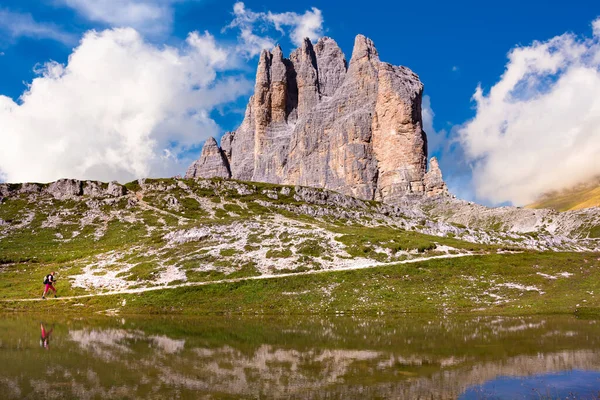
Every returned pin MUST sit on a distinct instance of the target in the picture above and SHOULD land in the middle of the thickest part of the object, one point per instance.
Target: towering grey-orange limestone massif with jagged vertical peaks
(315, 120)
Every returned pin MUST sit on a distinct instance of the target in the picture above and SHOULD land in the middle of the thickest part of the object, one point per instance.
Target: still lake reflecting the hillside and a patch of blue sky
(409, 357)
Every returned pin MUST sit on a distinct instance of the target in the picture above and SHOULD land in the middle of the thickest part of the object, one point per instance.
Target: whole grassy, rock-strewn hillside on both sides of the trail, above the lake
(168, 233)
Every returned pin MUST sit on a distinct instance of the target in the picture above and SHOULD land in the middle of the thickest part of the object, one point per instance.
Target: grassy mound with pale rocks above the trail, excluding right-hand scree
(166, 231)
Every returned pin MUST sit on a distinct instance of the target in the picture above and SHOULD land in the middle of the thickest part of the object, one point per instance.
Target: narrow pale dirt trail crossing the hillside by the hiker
(312, 272)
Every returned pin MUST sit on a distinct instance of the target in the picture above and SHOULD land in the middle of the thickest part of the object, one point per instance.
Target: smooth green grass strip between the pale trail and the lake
(438, 286)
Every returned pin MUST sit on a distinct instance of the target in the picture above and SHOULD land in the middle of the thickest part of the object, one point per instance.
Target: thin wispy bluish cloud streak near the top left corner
(24, 25)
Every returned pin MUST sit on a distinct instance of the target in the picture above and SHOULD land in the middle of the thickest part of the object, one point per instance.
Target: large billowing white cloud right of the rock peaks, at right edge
(538, 127)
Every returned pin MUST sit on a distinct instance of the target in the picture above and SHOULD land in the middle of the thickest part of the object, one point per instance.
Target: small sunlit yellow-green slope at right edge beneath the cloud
(580, 197)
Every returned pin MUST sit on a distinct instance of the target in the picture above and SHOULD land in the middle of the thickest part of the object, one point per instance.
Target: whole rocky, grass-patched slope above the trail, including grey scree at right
(162, 231)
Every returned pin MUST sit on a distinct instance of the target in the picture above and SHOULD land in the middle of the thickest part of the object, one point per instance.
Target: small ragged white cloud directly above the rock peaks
(254, 27)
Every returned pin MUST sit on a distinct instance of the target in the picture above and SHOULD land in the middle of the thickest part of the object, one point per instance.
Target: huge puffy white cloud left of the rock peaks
(120, 109)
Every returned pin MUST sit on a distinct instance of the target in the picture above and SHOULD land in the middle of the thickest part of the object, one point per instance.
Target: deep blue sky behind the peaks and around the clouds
(452, 46)
